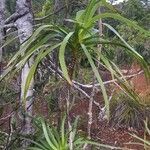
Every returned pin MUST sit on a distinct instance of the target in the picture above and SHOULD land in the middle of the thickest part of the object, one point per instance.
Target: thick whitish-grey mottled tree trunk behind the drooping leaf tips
(24, 25)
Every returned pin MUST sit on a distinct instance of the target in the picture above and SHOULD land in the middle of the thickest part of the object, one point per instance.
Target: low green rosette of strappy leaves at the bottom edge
(58, 139)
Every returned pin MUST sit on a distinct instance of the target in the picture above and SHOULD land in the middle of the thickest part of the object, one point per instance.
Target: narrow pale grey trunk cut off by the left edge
(2, 17)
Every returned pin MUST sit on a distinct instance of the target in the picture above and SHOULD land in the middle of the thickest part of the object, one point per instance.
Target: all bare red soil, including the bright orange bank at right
(101, 131)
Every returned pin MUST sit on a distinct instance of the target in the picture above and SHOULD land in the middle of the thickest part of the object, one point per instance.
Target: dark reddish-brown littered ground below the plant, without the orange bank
(101, 131)
